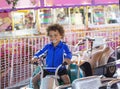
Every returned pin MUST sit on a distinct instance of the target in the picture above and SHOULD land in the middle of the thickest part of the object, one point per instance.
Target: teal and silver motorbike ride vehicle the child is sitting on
(53, 81)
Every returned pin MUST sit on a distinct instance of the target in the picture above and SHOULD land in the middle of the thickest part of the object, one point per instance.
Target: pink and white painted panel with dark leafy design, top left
(9, 4)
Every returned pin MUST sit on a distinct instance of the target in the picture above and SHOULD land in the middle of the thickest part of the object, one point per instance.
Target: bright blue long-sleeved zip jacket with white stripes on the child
(55, 55)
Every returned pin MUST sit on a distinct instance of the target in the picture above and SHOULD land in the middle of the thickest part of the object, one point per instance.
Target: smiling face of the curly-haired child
(55, 37)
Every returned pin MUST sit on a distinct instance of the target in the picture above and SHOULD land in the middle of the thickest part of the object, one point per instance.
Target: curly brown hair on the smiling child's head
(55, 27)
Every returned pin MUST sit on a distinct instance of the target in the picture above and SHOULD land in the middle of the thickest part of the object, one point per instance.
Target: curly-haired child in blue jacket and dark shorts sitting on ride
(55, 50)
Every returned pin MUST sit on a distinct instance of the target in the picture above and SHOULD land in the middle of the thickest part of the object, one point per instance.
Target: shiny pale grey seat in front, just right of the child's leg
(91, 82)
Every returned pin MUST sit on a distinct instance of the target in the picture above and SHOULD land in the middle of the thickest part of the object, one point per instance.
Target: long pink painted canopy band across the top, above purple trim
(23, 4)
